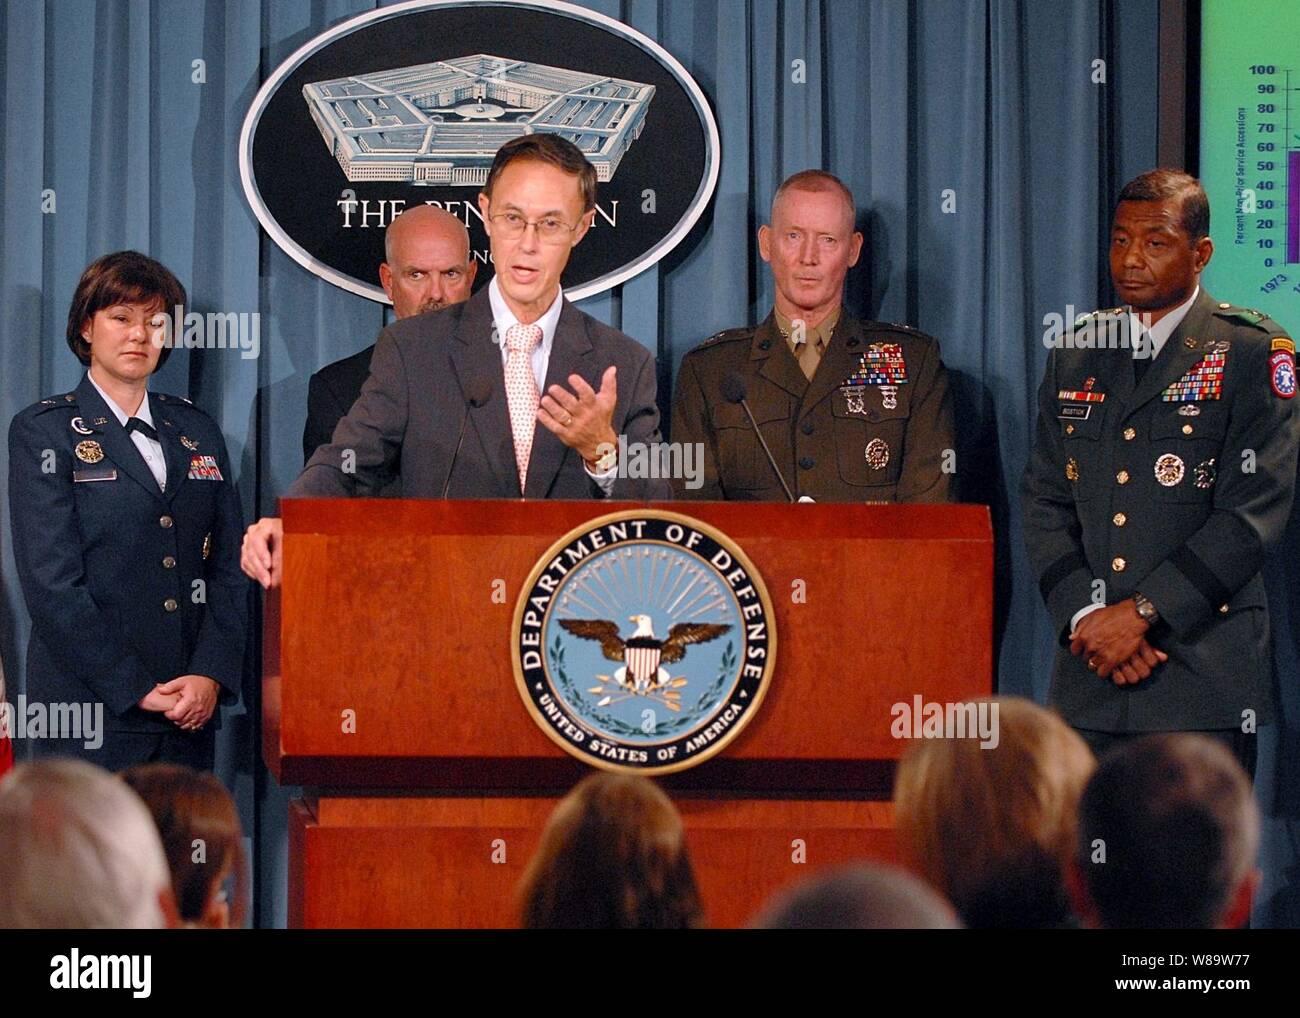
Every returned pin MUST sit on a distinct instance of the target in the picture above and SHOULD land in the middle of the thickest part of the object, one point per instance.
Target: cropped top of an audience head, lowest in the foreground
(860, 898)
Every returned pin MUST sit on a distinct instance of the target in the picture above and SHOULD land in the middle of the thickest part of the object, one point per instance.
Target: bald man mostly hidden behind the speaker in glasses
(427, 267)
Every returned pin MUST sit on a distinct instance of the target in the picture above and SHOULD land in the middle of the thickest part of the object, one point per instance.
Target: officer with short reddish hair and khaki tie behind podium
(853, 411)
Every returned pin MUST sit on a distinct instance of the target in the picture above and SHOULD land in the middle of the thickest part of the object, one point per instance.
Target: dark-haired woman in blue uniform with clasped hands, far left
(127, 532)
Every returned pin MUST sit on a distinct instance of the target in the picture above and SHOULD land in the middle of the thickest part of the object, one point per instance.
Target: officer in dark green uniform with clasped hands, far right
(1163, 467)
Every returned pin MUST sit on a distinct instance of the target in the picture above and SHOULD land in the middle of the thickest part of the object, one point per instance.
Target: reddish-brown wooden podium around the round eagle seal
(389, 695)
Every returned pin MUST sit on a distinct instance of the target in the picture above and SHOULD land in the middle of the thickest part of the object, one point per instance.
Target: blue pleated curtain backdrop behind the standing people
(991, 99)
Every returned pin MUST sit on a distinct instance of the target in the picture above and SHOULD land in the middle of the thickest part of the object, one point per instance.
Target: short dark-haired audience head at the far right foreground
(1168, 838)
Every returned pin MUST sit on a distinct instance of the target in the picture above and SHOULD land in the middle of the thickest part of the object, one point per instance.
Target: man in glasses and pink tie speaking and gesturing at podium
(544, 391)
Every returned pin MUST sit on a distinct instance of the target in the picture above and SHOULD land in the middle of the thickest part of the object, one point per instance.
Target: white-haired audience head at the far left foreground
(79, 851)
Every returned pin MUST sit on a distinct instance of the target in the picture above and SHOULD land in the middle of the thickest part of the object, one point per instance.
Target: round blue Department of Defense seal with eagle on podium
(644, 642)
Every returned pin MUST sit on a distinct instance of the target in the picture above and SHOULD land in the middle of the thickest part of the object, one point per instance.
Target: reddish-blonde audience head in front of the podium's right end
(991, 825)
